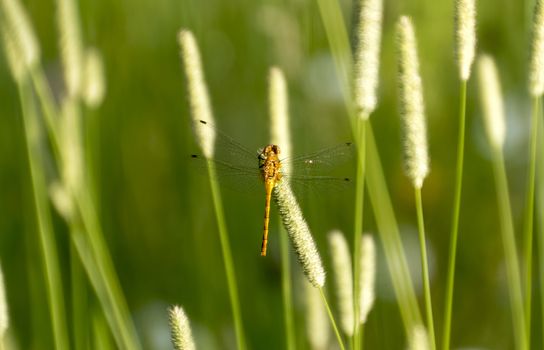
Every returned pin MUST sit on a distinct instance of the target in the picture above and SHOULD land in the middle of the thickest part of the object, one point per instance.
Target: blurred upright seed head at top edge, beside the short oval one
(71, 46)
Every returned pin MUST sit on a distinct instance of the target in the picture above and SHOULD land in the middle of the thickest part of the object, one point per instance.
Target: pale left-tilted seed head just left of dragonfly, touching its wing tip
(198, 92)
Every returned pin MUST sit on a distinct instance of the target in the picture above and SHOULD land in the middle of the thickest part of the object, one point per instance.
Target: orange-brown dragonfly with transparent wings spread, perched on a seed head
(235, 164)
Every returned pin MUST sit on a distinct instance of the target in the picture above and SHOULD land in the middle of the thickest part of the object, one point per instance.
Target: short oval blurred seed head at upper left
(95, 87)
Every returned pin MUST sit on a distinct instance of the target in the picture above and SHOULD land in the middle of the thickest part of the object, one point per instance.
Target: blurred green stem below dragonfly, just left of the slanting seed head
(287, 290)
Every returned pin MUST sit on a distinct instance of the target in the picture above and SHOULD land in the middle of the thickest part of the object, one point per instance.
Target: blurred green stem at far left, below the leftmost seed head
(55, 296)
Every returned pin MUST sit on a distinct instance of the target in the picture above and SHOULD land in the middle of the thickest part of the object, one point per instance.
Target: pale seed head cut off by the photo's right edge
(536, 65)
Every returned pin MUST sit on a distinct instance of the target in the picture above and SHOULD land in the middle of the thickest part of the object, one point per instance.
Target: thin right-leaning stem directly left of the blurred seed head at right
(455, 218)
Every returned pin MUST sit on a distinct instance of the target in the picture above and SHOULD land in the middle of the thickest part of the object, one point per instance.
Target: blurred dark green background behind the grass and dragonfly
(156, 209)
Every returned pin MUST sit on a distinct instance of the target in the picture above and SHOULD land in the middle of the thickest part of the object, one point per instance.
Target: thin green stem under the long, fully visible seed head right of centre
(425, 268)
